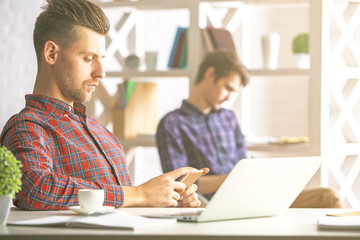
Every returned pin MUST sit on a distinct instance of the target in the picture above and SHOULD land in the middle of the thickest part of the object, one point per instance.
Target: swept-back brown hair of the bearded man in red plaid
(60, 20)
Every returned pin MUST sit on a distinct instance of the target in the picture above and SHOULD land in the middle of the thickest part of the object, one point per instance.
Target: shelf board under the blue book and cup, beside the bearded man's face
(177, 73)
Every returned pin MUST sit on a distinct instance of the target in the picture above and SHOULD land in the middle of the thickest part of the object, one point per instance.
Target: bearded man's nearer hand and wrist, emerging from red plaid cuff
(163, 191)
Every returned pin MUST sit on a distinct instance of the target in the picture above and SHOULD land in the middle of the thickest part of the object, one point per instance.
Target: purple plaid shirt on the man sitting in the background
(187, 137)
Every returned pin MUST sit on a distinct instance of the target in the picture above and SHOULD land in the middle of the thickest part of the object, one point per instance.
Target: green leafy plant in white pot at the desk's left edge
(10, 181)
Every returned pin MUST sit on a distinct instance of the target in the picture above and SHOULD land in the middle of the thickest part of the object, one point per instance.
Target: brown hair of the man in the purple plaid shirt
(225, 63)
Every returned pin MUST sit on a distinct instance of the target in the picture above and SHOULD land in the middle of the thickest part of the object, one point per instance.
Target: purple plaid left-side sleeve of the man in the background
(170, 145)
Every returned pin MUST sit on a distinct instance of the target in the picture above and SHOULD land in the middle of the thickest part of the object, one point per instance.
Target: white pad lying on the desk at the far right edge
(346, 223)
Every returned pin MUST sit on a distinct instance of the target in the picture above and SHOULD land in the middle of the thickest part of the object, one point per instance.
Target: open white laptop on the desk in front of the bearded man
(254, 188)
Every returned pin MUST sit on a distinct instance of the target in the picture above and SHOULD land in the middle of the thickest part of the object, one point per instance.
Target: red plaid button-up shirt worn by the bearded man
(63, 150)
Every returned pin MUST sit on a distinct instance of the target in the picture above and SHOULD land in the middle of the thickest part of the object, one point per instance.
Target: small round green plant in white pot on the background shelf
(300, 47)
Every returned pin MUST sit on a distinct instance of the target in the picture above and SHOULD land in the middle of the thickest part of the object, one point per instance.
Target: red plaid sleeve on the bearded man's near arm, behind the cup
(43, 188)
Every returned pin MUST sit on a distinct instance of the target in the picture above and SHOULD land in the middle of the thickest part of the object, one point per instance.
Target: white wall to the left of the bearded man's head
(17, 54)
